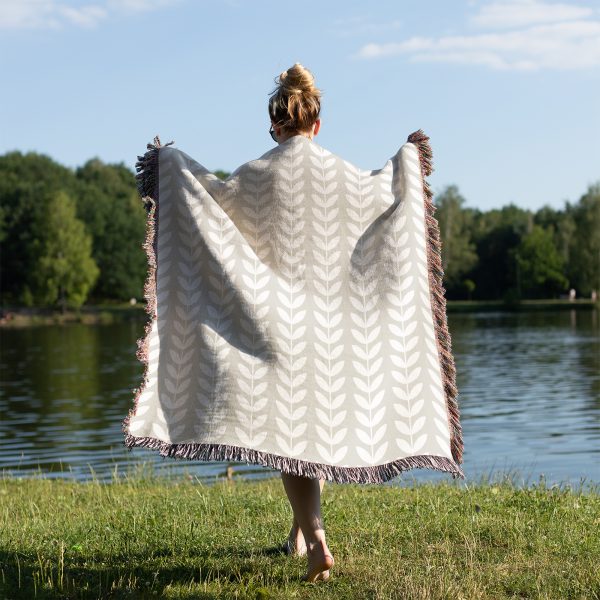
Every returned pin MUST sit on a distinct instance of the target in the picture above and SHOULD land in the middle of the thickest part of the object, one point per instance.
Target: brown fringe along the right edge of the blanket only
(438, 300)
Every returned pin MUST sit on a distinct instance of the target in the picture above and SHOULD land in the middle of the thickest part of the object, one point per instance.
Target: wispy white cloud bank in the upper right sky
(555, 42)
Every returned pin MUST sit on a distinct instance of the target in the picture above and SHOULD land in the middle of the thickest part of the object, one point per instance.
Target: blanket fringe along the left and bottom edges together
(147, 167)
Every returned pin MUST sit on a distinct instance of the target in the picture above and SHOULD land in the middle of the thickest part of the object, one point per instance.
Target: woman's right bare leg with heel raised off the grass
(305, 497)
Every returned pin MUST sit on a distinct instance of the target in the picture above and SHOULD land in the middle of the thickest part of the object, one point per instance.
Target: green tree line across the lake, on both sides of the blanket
(74, 236)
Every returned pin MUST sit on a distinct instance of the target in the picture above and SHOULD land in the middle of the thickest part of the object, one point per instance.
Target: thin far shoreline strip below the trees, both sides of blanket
(115, 313)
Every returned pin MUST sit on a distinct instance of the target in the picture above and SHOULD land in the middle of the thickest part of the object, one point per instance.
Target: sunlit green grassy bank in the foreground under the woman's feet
(152, 537)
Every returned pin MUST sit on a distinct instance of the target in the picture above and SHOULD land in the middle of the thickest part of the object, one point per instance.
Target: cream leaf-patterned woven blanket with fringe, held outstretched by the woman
(297, 317)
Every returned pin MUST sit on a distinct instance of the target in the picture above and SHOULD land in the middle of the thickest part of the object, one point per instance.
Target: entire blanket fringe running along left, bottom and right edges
(147, 183)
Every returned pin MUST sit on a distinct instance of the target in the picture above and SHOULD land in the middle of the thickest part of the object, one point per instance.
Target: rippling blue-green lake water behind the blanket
(529, 398)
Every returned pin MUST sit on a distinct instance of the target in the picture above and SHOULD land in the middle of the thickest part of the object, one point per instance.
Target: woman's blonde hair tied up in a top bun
(295, 103)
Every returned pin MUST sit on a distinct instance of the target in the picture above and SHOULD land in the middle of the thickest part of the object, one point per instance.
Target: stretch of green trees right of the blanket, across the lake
(513, 253)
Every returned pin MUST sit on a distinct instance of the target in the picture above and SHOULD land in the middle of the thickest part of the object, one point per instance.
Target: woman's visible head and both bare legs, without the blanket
(294, 108)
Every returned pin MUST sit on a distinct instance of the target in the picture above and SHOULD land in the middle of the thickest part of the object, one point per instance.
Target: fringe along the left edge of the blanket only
(147, 186)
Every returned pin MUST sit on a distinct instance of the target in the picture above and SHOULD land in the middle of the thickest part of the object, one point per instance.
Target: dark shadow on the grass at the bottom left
(24, 575)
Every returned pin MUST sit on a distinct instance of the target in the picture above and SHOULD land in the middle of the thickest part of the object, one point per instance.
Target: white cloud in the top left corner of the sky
(55, 14)
